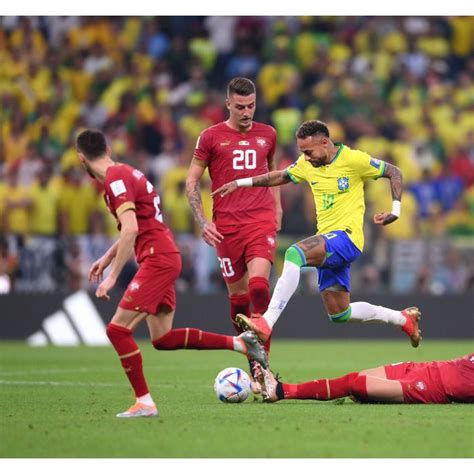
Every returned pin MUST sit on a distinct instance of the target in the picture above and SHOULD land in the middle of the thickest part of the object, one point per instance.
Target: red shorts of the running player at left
(154, 284)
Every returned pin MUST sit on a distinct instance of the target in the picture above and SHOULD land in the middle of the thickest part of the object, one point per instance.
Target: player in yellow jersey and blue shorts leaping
(336, 175)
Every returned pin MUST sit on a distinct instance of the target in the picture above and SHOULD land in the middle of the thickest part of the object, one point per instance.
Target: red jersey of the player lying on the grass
(457, 376)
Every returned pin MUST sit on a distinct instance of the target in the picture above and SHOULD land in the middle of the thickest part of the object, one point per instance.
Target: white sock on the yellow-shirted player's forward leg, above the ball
(284, 289)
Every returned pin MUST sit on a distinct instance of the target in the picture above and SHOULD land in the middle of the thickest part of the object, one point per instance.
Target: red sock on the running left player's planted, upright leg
(130, 357)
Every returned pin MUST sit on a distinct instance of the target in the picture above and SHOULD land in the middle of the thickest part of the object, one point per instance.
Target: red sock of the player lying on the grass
(321, 389)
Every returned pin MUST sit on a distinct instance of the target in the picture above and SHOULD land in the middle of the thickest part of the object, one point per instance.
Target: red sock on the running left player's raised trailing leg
(191, 338)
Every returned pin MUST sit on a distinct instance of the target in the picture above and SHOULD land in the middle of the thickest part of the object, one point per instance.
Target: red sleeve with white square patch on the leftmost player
(120, 189)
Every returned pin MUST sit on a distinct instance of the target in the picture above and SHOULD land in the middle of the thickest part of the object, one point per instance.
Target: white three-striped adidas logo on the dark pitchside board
(77, 323)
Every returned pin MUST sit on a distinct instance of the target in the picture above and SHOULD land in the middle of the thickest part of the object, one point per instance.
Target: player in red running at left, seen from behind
(151, 295)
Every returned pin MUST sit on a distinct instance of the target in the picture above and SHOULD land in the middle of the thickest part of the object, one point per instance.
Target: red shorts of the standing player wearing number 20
(242, 243)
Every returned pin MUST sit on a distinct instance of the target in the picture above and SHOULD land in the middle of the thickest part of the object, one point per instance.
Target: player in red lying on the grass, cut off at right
(405, 382)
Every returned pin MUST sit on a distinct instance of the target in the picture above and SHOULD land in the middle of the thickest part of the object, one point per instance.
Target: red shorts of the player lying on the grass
(421, 382)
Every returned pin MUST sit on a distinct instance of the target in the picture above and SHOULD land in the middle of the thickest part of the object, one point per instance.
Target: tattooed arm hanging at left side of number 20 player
(193, 192)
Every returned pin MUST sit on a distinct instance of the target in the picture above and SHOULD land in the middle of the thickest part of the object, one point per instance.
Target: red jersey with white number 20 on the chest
(232, 155)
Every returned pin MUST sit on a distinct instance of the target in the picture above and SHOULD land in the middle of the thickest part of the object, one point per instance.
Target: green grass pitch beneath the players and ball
(61, 402)
